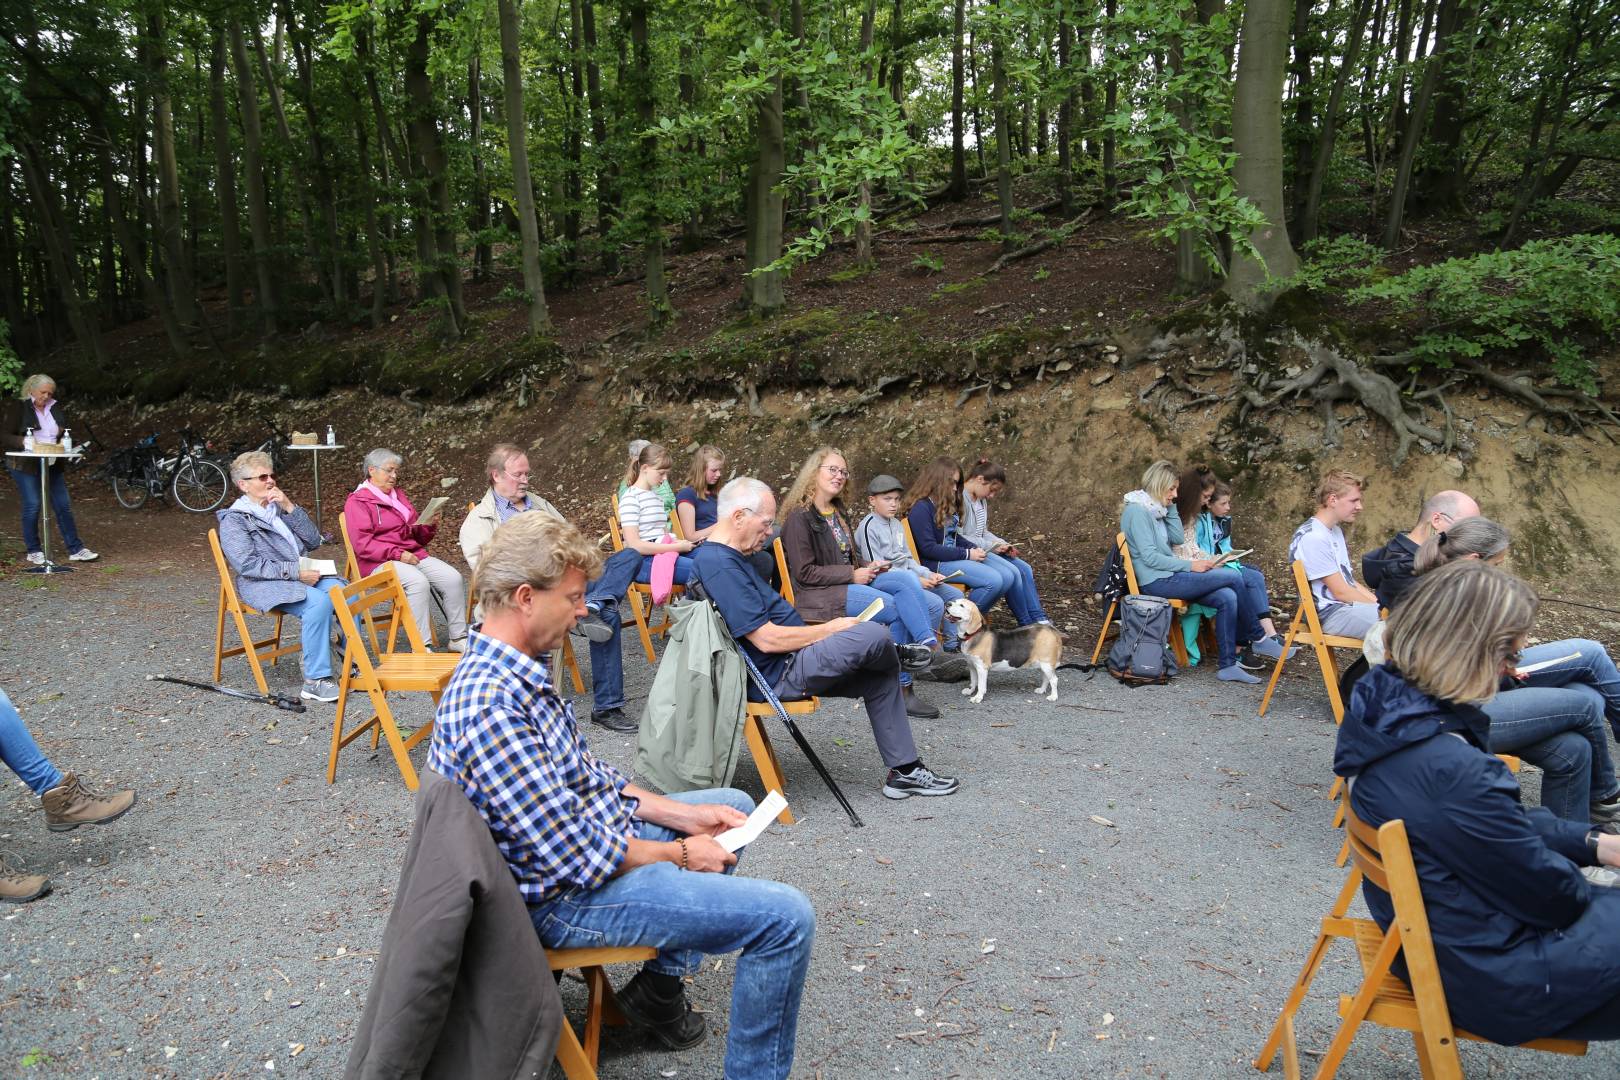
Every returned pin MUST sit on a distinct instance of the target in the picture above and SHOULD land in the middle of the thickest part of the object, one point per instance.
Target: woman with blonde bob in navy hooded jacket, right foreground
(1524, 943)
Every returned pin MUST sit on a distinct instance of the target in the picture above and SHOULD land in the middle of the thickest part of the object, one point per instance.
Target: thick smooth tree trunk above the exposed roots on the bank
(1258, 140)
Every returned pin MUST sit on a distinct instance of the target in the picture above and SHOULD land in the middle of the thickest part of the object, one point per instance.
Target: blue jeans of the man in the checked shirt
(686, 916)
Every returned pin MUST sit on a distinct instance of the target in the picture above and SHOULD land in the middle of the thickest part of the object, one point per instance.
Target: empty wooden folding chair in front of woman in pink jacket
(393, 671)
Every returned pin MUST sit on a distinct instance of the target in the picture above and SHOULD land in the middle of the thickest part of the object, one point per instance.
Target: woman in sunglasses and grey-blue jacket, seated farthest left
(263, 535)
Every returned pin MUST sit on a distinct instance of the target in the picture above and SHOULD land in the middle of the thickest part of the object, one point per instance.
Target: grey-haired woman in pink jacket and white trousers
(383, 529)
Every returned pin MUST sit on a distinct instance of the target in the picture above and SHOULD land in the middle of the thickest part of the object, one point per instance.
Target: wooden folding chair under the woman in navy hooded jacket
(1384, 857)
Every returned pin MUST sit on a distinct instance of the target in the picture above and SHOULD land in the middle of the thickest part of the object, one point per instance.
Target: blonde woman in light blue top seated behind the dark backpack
(1153, 530)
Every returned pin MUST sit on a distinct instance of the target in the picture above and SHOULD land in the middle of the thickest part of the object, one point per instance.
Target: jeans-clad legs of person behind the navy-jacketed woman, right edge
(1562, 734)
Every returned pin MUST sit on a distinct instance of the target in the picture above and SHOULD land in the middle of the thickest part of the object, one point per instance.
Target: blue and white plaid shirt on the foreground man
(558, 815)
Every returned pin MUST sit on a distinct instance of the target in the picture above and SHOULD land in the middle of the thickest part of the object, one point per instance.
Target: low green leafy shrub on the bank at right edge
(1540, 297)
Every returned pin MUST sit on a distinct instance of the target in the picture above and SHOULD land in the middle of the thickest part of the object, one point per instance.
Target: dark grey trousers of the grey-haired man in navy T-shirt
(858, 663)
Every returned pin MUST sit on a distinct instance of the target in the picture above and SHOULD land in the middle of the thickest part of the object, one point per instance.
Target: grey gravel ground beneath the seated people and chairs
(231, 922)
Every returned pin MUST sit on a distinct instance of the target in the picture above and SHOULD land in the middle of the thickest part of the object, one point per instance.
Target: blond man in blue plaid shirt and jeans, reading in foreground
(599, 861)
